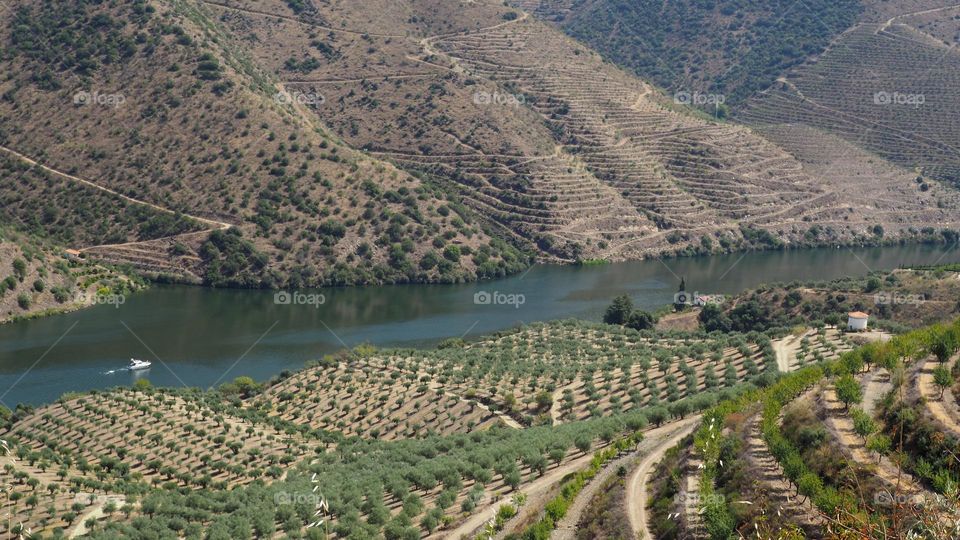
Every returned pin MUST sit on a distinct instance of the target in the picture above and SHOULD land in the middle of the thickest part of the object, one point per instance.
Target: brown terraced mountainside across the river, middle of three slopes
(540, 135)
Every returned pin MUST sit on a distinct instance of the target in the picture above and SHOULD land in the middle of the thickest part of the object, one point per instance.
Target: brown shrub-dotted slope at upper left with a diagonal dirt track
(152, 105)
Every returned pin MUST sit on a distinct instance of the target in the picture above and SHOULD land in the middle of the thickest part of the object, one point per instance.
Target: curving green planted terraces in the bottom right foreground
(844, 451)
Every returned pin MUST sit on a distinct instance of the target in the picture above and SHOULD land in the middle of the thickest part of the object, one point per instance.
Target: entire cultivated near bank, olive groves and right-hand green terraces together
(432, 459)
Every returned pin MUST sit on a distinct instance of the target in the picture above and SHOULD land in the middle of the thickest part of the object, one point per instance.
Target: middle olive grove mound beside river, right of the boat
(539, 374)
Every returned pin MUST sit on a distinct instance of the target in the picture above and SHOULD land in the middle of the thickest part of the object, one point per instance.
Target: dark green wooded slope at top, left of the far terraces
(728, 47)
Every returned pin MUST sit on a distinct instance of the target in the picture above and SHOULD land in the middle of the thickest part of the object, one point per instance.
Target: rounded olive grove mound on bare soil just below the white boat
(129, 436)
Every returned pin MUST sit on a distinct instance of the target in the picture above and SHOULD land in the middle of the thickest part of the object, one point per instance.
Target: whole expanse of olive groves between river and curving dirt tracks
(438, 441)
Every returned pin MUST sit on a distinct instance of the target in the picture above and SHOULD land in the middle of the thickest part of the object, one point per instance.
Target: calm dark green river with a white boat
(201, 337)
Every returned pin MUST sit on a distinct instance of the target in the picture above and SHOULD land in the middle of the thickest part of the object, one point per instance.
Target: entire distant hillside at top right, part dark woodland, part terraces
(771, 61)
